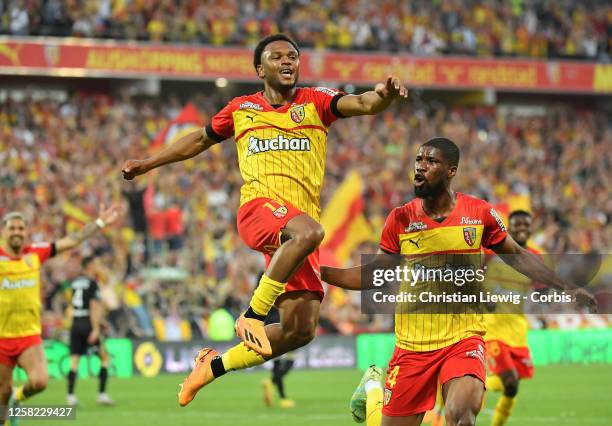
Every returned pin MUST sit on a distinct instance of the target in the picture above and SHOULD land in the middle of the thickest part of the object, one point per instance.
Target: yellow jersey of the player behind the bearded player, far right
(510, 328)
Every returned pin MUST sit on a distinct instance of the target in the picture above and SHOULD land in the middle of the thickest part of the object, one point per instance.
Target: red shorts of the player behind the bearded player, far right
(501, 357)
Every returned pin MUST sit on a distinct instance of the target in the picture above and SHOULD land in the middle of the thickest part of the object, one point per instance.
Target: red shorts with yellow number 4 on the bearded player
(412, 379)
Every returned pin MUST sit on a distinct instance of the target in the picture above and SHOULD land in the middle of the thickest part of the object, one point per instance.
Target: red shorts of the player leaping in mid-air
(260, 222)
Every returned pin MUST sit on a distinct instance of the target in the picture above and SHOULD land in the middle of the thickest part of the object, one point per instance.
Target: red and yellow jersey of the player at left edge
(20, 290)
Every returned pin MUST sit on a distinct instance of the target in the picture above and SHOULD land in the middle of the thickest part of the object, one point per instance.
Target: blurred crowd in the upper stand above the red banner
(531, 28)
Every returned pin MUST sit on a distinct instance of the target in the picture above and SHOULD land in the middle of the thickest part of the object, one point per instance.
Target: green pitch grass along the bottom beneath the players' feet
(559, 395)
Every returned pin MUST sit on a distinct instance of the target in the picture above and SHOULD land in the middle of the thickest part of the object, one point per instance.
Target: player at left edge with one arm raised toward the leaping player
(20, 299)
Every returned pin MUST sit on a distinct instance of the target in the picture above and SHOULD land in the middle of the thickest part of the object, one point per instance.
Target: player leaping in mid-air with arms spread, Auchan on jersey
(281, 135)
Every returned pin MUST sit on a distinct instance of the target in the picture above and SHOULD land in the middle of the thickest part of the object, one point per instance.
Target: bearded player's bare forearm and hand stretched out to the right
(531, 266)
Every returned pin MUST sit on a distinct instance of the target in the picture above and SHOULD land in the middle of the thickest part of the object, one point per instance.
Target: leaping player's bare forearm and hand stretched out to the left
(184, 148)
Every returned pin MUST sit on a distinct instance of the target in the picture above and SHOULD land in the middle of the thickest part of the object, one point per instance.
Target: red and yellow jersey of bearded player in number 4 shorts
(408, 230)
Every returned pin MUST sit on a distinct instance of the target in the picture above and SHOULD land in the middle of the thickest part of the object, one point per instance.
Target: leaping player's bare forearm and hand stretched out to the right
(374, 101)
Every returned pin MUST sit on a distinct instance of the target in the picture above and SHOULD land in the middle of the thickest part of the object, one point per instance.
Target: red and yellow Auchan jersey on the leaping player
(281, 151)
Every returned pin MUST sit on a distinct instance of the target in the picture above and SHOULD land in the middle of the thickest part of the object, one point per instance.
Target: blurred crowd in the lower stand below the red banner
(177, 258)
